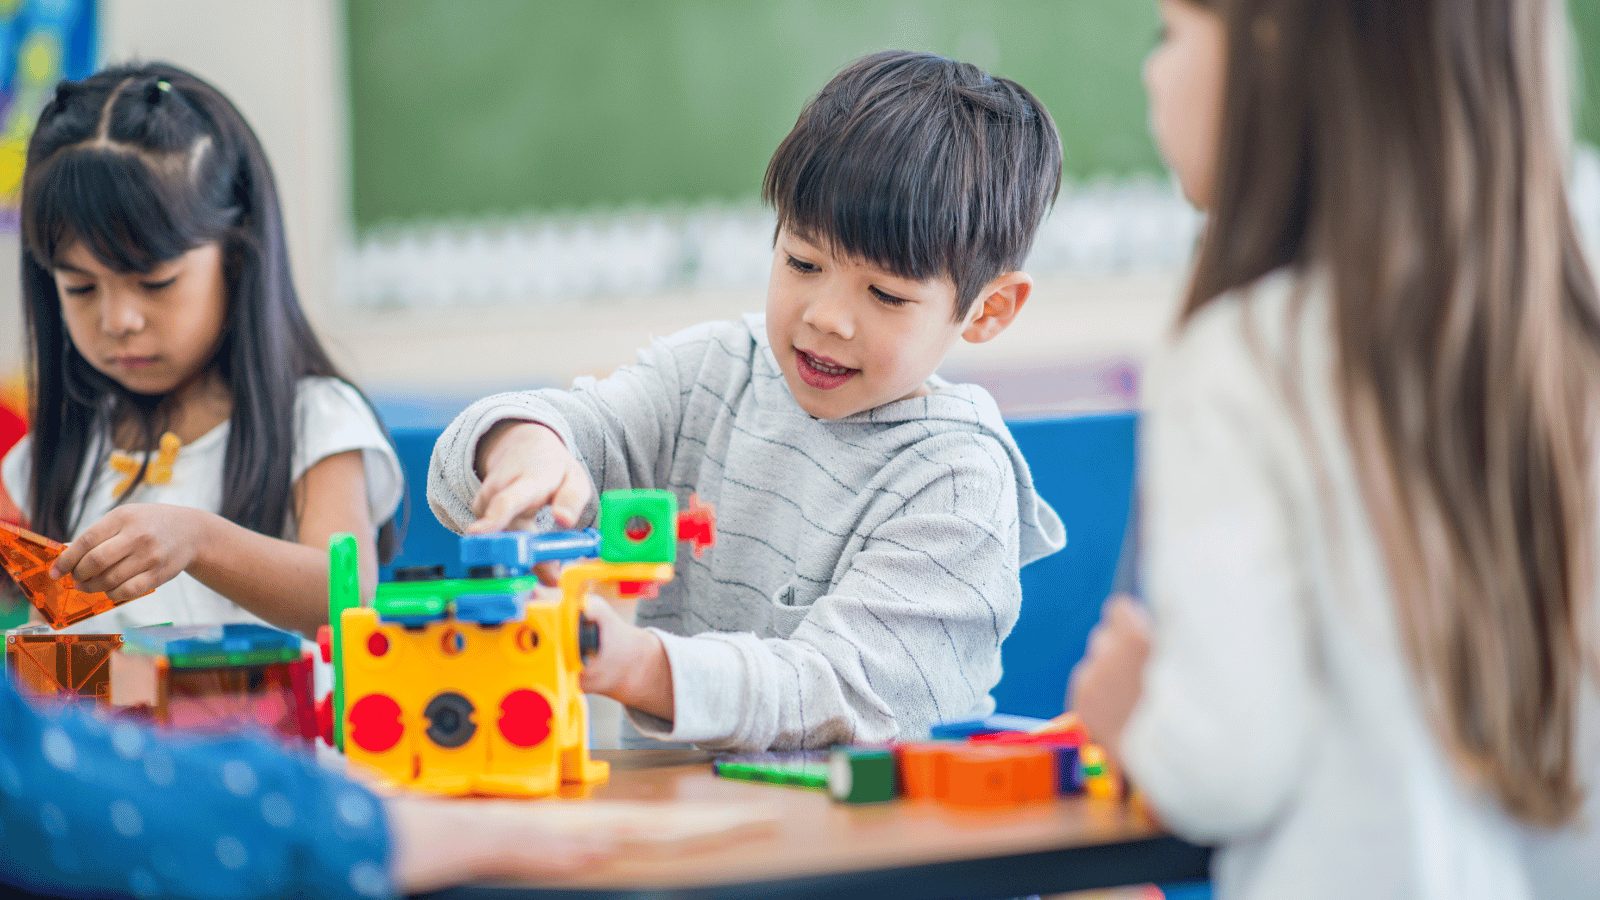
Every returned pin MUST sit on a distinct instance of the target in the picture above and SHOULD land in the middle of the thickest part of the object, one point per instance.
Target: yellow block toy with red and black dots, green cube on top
(470, 686)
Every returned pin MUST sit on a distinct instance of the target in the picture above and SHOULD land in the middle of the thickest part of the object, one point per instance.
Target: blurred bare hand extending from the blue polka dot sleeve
(442, 843)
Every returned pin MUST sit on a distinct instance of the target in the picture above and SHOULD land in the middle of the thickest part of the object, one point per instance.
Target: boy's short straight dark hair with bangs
(921, 166)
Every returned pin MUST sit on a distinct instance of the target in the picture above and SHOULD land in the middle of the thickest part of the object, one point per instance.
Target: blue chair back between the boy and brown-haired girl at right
(1082, 467)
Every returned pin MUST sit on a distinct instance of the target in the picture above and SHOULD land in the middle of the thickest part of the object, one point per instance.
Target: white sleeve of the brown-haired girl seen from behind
(1225, 728)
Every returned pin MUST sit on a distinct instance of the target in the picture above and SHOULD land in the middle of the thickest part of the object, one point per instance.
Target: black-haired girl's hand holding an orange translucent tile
(134, 550)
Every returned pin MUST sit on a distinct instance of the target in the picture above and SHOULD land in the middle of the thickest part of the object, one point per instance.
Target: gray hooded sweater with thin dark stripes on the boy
(865, 573)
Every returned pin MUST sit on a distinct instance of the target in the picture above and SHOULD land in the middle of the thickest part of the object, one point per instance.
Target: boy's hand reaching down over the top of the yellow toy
(526, 468)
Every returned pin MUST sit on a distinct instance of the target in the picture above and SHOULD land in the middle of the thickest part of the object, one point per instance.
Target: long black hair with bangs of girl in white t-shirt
(142, 164)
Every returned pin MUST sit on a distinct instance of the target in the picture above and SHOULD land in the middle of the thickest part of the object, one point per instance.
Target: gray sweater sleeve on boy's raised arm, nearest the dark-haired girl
(623, 428)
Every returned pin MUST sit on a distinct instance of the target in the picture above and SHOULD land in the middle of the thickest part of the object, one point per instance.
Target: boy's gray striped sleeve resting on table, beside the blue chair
(908, 637)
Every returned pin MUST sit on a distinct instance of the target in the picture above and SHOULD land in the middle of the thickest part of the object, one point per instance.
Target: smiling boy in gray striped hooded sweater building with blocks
(873, 518)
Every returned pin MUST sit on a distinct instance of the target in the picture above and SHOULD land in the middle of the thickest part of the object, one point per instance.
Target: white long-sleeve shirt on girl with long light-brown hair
(1281, 718)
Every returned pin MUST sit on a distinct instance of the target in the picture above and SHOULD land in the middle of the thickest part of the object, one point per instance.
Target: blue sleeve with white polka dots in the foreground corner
(92, 806)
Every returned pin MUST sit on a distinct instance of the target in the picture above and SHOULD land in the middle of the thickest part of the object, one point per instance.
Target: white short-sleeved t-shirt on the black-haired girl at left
(330, 419)
